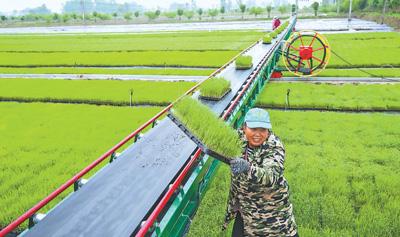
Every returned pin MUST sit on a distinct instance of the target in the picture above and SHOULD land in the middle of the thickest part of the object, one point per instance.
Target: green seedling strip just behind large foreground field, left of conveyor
(92, 91)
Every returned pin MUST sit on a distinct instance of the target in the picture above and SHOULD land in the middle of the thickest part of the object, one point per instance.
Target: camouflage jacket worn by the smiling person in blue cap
(261, 195)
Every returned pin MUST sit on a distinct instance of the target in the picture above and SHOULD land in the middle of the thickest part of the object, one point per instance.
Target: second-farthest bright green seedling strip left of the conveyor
(147, 58)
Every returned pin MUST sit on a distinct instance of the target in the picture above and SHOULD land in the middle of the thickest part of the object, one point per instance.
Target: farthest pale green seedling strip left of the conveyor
(180, 41)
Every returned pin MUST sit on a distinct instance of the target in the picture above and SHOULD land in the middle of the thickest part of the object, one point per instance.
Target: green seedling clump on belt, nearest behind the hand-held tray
(215, 88)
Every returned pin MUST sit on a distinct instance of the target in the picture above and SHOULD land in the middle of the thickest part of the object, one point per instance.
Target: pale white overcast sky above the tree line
(56, 5)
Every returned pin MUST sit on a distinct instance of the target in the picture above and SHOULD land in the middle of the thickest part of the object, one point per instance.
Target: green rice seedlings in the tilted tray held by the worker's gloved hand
(207, 127)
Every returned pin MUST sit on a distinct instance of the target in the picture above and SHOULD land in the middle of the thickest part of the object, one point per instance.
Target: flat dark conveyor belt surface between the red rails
(117, 198)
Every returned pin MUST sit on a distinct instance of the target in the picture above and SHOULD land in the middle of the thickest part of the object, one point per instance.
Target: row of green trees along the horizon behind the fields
(341, 7)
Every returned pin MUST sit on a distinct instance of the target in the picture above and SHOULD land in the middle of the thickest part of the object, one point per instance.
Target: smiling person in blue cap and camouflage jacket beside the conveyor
(259, 194)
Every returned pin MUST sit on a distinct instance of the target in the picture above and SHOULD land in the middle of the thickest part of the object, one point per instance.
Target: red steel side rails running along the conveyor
(80, 174)
